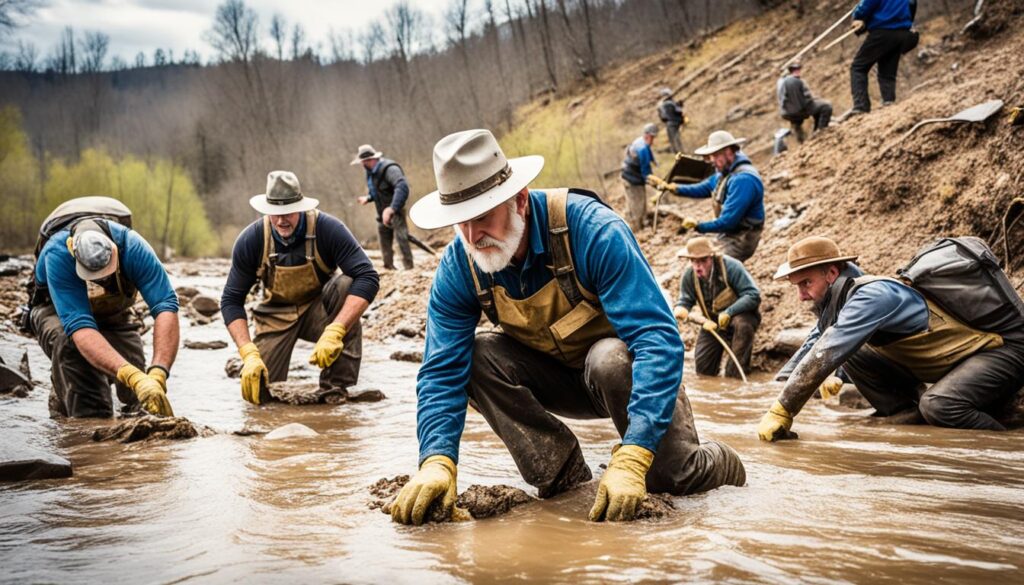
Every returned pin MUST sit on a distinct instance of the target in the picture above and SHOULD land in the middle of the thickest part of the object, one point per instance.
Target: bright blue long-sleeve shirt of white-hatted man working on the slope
(745, 197)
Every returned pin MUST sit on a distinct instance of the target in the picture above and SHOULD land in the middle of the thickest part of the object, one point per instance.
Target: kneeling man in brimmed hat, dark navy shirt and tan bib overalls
(296, 252)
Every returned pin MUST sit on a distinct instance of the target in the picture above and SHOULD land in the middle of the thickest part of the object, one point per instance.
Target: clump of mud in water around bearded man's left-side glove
(477, 503)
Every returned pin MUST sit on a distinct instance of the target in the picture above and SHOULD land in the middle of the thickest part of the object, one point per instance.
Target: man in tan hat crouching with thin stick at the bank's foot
(729, 300)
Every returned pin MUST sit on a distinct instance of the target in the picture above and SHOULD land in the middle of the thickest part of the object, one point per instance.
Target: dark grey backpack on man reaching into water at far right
(963, 276)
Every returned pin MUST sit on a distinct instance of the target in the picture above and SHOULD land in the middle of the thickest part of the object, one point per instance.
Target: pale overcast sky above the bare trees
(147, 25)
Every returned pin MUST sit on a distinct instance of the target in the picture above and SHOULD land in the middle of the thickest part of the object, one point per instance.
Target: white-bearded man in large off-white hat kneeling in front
(585, 333)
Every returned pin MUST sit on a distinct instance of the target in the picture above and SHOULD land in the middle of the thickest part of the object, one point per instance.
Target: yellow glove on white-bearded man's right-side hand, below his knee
(624, 485)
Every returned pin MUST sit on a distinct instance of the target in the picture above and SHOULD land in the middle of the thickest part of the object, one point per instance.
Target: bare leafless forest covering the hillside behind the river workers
(273, 99)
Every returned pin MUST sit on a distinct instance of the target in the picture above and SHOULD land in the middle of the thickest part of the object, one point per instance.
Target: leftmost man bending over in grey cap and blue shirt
(90, 271)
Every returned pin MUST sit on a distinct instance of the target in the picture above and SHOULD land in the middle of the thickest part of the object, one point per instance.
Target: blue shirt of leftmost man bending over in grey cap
(139, 265)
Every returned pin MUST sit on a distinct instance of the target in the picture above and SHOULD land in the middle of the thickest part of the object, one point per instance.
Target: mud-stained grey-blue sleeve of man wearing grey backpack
(877, 306)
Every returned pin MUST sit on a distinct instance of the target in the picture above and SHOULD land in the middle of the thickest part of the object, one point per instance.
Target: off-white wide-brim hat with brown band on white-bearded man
(474, 178)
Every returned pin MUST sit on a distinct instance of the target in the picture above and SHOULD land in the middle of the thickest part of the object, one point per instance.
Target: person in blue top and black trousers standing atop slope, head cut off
(889, 36)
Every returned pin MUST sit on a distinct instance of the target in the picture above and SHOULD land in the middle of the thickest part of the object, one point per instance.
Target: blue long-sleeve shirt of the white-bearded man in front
(610, 264)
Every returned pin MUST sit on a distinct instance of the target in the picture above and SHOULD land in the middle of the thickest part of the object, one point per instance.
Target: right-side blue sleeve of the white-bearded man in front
(614, 267)
